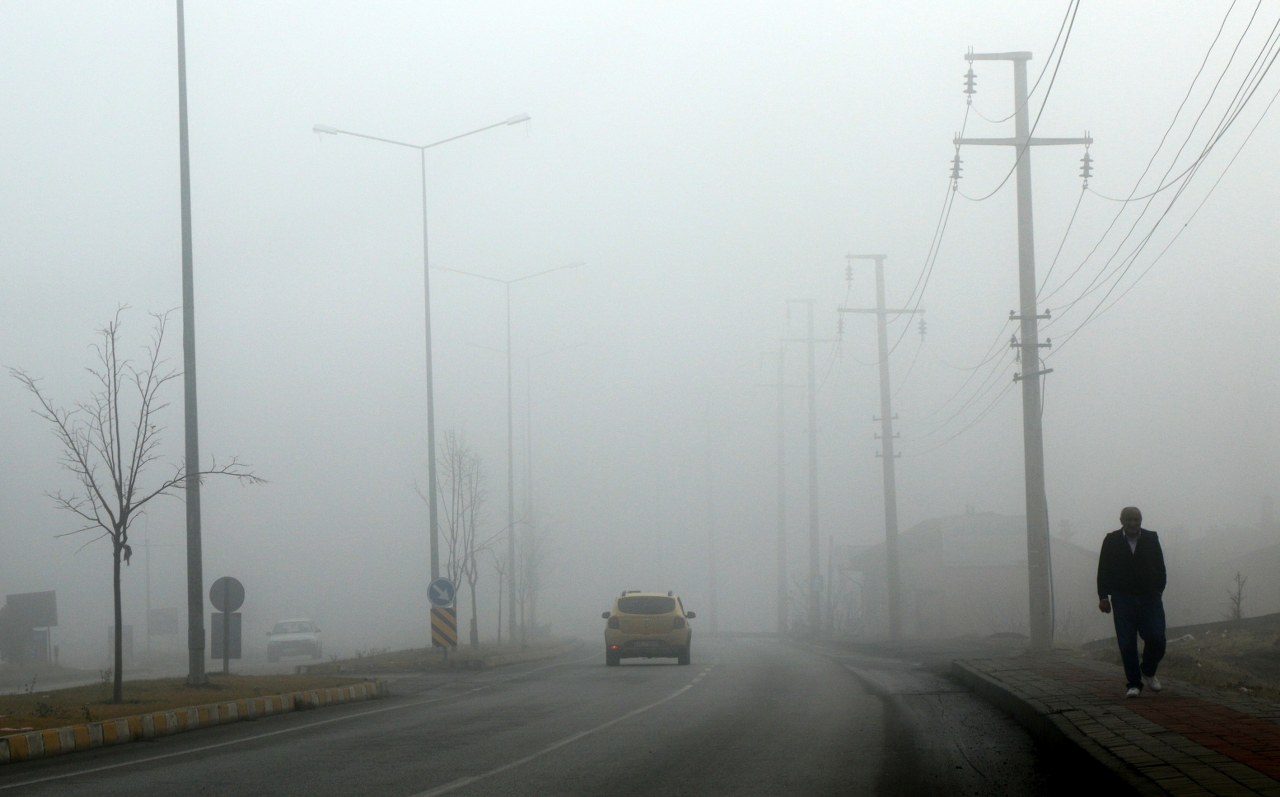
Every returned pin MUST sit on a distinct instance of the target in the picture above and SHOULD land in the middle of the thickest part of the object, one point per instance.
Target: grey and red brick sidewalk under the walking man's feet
(1185, 741)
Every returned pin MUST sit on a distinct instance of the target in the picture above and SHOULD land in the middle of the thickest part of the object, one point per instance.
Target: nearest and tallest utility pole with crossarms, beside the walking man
(1039, 574)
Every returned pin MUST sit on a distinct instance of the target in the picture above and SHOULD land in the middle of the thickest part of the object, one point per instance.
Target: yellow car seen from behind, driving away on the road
(647, 626)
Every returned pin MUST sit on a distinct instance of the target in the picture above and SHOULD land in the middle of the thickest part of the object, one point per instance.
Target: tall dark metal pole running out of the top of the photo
(195, 562)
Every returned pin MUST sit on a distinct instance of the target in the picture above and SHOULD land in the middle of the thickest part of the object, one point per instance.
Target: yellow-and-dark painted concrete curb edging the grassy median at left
(86, 736)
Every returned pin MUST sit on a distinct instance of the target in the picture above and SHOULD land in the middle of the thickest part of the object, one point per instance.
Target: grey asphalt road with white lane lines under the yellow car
(748, 717)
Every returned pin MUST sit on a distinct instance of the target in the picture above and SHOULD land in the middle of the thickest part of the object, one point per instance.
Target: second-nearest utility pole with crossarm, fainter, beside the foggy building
(888, 456)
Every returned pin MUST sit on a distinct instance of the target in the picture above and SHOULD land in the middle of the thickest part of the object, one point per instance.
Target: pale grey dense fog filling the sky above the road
(706, 168)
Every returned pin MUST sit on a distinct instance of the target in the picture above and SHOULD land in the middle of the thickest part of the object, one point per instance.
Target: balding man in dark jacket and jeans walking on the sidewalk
(1131, 585)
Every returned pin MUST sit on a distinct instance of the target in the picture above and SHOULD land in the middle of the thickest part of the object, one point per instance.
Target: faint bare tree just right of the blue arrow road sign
(463, 505)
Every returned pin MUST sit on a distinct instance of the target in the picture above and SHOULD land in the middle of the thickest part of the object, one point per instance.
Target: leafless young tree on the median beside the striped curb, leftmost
(111, 443)
